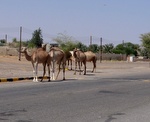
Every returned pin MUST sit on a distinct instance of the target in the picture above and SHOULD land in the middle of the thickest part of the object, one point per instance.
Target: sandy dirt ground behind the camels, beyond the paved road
(11, 67)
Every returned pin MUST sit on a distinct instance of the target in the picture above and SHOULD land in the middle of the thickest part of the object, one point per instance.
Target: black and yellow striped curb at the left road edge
(17, 79)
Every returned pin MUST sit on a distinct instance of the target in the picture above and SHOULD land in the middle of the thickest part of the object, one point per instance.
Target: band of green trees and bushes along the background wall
(68, 43)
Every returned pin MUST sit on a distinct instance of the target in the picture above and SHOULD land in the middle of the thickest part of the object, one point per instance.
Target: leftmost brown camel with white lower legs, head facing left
(38, 56)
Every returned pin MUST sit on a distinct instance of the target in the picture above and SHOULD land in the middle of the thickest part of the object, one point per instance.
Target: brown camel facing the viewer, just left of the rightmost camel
(80, 57)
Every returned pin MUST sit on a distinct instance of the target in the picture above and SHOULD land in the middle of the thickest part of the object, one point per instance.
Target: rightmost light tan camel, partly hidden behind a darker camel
(90, 56)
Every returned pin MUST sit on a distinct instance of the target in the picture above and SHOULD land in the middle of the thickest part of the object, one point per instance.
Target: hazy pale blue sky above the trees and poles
(113, 20)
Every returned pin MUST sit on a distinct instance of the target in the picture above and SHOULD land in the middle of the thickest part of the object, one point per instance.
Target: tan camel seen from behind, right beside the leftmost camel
(56, 56)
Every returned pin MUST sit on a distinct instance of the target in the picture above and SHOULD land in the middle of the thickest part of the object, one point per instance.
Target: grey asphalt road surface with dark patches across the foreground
(118, 99)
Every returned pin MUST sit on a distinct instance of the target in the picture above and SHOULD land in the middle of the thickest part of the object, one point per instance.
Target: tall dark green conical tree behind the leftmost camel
(37, 39)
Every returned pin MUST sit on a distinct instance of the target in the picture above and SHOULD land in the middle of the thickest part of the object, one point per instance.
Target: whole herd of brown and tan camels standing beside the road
(57, 56)
